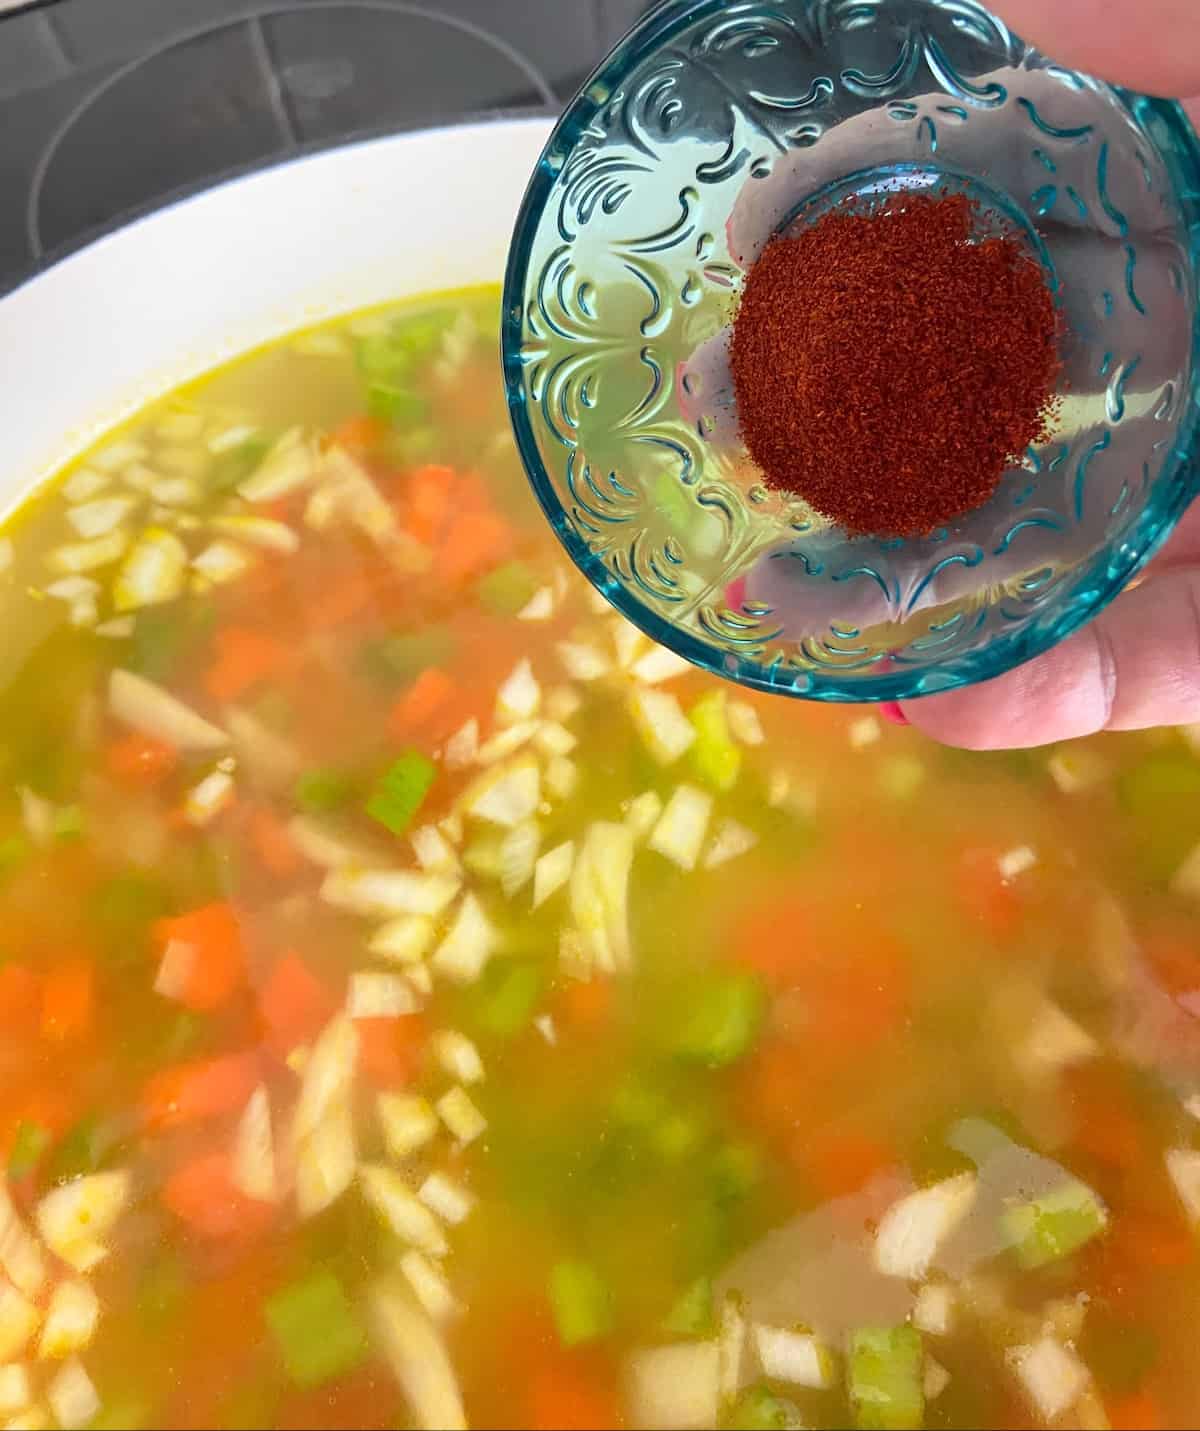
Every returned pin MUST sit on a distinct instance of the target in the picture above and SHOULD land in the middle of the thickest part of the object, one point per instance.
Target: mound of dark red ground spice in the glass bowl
(889, 370)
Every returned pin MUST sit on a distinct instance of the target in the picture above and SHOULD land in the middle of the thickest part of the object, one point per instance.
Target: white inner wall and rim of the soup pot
(95, 337)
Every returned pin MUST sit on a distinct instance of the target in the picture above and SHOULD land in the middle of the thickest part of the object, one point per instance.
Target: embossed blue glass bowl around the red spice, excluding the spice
(716, 125)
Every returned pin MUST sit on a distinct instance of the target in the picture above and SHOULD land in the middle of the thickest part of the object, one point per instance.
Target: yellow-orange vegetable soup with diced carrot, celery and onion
(424, 1002)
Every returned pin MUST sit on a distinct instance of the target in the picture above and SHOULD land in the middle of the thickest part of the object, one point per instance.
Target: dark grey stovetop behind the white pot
(112, 107)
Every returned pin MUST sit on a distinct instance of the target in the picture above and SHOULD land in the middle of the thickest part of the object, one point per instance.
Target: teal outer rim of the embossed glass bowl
(1095, 586)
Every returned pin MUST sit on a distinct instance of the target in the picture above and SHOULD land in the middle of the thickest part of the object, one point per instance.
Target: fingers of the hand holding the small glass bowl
(1138, 665)
